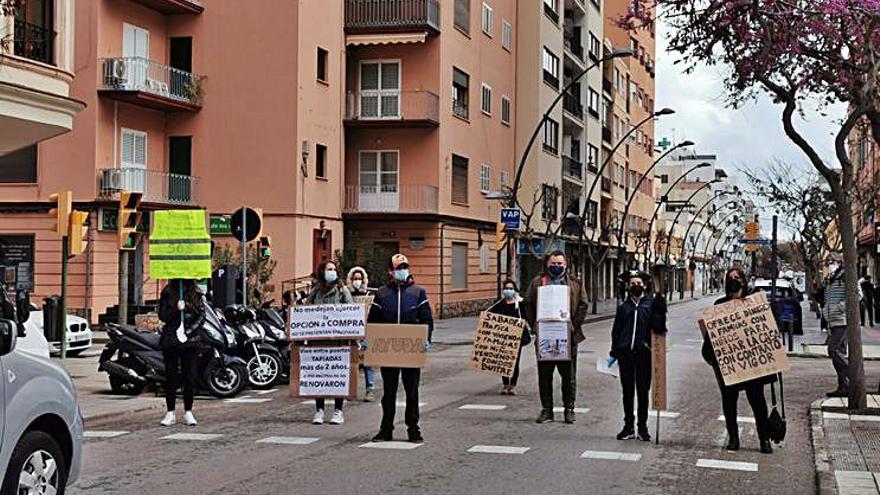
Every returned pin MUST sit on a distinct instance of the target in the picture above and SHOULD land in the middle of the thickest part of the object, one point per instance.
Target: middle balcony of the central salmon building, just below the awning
(392, 109)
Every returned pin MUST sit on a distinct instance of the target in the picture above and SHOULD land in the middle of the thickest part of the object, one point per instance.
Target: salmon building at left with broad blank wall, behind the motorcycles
(189, 104)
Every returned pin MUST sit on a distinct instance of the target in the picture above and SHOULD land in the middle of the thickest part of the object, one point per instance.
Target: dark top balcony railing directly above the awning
(378, 16)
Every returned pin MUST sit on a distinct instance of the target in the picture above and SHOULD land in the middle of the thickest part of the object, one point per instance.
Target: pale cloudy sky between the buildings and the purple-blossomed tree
(748, 137)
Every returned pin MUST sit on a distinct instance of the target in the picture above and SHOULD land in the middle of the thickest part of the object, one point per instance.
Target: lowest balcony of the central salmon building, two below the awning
(391, 198)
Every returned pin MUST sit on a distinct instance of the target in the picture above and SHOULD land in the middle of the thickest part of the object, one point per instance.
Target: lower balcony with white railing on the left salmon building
(156, 187)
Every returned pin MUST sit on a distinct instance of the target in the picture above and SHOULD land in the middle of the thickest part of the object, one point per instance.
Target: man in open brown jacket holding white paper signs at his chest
(569, 312)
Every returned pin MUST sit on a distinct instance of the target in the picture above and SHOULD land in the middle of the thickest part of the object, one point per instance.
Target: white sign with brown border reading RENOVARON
(323, 372)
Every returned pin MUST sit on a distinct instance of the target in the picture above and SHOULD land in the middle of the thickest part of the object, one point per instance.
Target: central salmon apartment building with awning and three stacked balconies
(429, 128)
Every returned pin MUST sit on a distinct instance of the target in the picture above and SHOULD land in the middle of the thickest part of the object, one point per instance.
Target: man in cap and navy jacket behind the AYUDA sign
(401, 301)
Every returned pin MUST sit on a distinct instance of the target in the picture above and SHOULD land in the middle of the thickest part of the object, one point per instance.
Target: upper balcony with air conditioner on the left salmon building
(147, 83)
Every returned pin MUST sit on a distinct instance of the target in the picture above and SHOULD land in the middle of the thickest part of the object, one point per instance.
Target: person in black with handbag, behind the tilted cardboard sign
(735, 288)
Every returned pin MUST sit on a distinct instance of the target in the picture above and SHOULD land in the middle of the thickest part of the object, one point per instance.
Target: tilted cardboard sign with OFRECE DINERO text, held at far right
(745, 338)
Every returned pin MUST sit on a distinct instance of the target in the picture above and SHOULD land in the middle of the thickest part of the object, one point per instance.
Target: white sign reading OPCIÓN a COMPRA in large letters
(327, 322)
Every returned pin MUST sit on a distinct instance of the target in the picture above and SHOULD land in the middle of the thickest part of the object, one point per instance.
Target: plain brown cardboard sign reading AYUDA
(396, 346)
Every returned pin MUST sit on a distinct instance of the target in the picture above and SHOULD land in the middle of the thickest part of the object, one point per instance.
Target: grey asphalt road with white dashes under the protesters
(549, 458)
